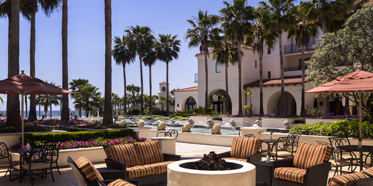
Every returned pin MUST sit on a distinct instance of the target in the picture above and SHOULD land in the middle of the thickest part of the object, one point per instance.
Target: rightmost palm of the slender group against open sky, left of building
(168, 50)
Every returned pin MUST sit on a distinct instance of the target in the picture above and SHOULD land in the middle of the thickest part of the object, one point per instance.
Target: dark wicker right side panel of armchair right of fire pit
(317, 174)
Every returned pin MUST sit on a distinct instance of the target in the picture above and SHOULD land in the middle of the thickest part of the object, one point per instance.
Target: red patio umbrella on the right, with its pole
(358, 81)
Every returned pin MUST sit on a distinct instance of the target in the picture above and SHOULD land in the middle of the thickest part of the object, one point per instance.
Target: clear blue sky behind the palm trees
(86, 41)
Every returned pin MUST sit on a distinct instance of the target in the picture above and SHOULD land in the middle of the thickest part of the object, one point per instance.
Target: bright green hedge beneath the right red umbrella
(341, 128)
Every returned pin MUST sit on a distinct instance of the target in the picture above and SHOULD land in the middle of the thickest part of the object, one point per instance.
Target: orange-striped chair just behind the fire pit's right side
(244, 149)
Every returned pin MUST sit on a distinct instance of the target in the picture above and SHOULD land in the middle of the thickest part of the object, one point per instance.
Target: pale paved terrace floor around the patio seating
(67, 177)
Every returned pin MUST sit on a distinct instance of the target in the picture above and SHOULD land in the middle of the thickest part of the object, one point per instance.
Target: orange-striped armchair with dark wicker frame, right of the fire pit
(310, 166)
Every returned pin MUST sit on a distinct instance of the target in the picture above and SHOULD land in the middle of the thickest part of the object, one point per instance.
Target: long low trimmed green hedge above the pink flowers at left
(79, 136)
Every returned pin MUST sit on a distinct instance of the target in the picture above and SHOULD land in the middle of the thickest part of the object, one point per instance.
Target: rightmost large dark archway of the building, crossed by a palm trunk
(274, 104)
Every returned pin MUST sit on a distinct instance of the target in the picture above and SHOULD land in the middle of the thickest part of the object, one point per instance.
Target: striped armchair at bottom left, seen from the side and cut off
(87, 175)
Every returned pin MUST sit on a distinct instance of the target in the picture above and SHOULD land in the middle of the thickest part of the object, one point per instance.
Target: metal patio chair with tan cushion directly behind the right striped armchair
(284, 147)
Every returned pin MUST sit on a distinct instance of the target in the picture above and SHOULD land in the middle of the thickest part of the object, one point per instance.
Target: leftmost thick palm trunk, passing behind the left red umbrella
(13, 117)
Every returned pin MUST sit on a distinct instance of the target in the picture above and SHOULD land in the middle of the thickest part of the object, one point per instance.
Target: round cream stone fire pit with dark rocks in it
(182, 173)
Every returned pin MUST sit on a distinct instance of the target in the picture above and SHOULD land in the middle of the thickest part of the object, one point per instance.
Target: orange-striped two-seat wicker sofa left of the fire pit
(143, 161)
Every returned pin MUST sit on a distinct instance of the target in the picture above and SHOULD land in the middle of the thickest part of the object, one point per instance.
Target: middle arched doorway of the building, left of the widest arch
(218, 101)
